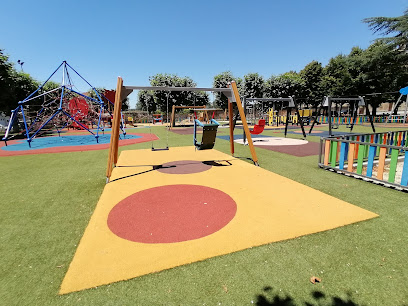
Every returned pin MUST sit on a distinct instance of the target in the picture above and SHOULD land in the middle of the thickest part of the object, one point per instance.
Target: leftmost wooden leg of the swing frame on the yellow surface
(114, 141)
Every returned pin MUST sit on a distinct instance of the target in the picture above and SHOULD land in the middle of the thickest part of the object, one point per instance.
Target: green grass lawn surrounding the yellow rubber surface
(47, 200)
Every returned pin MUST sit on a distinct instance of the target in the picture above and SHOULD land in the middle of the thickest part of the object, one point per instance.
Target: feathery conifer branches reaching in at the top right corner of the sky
(398, 26)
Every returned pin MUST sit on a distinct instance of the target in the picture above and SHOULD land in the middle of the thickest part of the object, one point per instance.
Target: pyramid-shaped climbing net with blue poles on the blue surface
(62, 107)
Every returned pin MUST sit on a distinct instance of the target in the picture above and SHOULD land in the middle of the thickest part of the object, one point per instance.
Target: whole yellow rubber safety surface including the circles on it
(164, 209)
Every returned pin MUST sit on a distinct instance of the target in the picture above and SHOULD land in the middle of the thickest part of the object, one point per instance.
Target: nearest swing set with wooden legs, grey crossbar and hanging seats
(209, 130)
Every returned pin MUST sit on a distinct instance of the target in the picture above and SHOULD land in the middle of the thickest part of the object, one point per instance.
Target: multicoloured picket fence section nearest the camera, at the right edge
(378, 157)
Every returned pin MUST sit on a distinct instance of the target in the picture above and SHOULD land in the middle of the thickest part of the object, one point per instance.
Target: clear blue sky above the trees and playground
(137, 39)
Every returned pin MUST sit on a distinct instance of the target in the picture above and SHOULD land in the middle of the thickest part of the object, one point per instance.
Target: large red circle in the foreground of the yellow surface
(171, 213)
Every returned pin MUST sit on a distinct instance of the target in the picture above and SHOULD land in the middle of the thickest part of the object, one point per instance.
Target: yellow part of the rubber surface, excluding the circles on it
(269, 208)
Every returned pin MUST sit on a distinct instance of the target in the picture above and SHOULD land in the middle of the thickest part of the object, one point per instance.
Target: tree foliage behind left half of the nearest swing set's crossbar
(164, 100)
